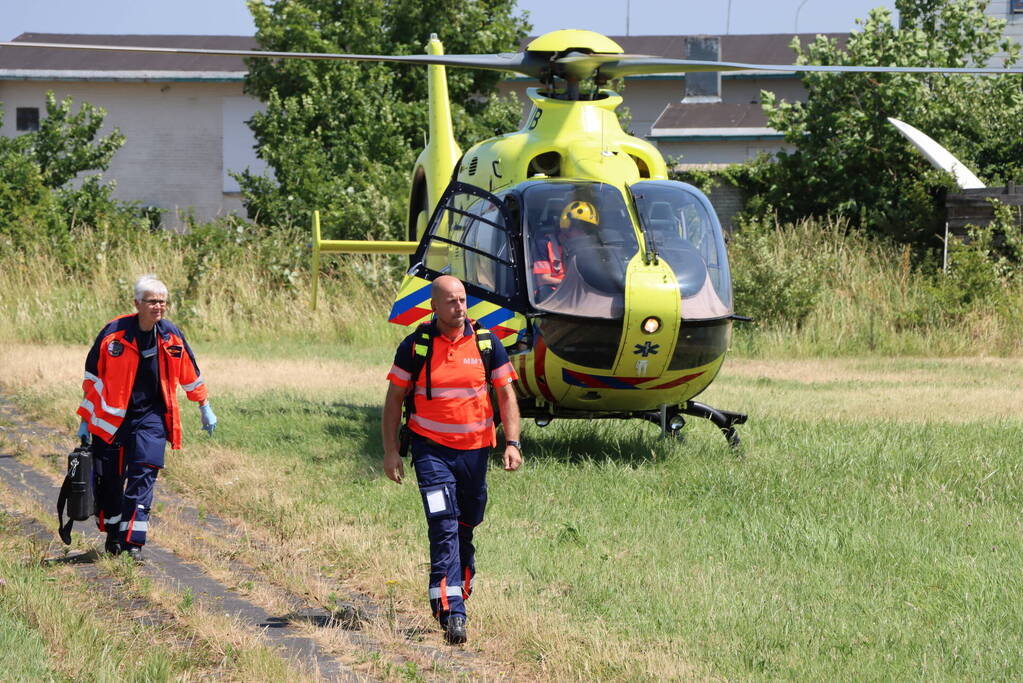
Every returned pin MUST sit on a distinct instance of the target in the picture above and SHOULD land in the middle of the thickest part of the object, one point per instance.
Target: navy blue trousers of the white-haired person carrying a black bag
(127, 474)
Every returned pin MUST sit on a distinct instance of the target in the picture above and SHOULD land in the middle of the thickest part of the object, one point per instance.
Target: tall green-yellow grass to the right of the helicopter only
(817, 289)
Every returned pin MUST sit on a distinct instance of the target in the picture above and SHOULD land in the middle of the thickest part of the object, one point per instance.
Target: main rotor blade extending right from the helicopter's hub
(619, 67)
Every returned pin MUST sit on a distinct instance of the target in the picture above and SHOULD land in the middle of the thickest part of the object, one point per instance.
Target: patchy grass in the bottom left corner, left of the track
(56, 625)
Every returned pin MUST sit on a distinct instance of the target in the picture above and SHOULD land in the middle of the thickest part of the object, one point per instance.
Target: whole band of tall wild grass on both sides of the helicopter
(814, 288)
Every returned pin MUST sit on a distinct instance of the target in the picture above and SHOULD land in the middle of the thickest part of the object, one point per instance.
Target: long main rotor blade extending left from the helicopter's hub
(520, 63)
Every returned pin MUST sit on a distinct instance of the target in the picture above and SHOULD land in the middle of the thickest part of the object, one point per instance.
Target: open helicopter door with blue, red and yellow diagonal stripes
(473, 237)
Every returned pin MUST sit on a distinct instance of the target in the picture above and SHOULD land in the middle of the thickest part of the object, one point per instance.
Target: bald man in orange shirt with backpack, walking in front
(442, 374)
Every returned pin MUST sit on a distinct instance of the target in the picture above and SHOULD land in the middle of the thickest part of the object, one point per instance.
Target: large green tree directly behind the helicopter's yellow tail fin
(342, 138)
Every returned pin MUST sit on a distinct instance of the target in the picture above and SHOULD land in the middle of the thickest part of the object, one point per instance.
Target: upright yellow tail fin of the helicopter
(437, 161)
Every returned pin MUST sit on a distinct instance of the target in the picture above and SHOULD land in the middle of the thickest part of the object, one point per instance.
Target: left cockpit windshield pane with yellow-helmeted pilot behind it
(581, 240)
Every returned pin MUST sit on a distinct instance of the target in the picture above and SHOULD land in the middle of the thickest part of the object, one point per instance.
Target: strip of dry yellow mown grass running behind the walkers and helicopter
(959, 390)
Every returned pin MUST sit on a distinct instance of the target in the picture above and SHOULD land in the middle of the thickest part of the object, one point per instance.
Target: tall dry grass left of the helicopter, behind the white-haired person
(248, 293)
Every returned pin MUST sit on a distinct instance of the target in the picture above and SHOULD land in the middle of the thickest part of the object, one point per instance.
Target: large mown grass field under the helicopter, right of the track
(869, 529)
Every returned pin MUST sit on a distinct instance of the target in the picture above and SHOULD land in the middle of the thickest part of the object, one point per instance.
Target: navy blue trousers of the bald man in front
(454, 486)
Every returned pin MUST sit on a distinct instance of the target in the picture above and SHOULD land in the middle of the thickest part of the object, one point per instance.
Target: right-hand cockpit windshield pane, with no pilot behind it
(684, 231)
